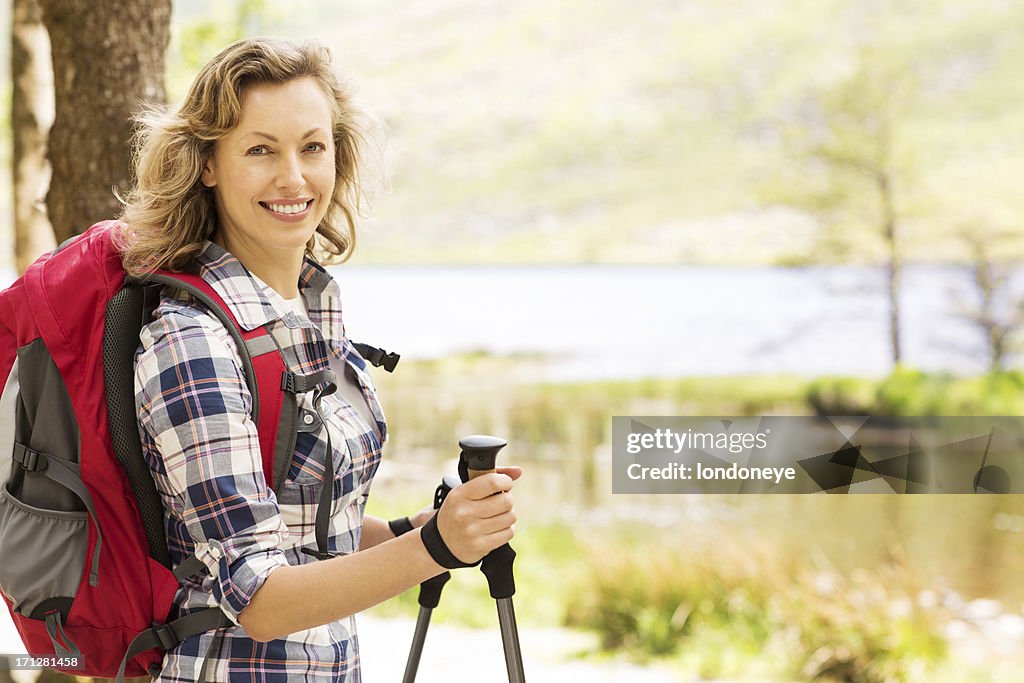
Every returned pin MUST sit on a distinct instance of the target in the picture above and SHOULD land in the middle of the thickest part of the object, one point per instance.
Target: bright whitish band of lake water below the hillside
(629, 322)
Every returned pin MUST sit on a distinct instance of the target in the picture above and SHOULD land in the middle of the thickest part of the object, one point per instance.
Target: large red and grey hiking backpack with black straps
(84, 566)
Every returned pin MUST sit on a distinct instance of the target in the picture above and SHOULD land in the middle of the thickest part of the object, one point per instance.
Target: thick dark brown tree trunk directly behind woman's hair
(108, 62)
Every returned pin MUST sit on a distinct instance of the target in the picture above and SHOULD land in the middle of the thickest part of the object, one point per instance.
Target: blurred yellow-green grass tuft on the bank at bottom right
(728, 609)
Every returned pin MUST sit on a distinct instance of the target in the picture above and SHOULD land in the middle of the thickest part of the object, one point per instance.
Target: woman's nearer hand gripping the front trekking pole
(479, 516)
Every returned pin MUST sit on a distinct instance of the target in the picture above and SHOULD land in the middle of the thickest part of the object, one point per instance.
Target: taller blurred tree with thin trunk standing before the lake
(851, 168)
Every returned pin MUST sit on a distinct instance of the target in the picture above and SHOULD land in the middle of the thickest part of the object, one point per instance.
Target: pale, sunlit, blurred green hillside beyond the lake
(655, 132)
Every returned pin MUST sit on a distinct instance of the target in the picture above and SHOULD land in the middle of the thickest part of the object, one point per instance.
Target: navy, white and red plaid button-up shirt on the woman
(203, 448)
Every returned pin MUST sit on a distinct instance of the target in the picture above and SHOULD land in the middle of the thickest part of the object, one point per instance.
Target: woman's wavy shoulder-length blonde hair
(169, 215)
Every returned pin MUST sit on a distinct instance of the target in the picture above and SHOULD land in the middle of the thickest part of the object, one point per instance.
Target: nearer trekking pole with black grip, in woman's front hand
(479, 456)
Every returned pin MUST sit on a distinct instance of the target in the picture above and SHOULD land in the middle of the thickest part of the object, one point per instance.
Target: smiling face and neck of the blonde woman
(273, 178)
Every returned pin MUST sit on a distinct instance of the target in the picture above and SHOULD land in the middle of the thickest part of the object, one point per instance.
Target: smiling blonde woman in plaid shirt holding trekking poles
(246, 183)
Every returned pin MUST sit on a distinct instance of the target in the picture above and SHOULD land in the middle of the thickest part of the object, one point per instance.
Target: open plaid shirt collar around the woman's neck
(254, 304)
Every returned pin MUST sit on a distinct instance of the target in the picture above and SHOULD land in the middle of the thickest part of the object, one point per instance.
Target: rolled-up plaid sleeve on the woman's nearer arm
(197, 431)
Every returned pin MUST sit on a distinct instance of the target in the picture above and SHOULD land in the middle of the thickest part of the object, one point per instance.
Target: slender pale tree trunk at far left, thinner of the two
(31, 115)
